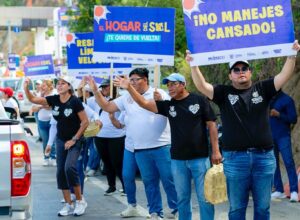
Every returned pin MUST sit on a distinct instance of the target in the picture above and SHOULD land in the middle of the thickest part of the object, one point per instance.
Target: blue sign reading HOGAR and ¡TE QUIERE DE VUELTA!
(134, 35)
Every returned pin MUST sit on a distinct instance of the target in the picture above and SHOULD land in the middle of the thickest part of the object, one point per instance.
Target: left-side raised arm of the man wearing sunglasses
(199, 80)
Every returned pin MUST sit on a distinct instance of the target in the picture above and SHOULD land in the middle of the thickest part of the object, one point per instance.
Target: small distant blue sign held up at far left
(39, 66)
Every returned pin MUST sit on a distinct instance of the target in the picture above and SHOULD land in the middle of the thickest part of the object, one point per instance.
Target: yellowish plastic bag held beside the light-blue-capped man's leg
(215, 185)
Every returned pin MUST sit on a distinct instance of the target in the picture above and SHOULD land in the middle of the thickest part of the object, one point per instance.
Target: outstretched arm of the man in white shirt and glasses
(107, 106)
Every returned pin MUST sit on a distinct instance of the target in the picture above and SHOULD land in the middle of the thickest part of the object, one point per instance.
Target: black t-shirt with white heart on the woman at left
(66, 115)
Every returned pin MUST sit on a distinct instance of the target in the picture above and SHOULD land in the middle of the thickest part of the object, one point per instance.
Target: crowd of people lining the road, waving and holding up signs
(164, 135)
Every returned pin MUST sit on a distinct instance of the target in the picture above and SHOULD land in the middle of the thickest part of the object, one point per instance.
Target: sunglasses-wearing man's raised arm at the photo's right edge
(287, 70)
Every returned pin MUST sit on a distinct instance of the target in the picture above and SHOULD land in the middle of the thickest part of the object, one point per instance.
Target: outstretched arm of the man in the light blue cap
(124, 83)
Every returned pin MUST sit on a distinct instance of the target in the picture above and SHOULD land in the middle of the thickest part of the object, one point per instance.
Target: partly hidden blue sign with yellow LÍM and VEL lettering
(80, 47)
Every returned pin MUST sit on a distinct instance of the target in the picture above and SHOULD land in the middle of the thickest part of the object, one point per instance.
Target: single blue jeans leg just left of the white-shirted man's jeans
(129, 172)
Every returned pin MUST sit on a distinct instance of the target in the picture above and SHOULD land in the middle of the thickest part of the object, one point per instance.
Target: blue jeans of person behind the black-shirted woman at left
(44, 128)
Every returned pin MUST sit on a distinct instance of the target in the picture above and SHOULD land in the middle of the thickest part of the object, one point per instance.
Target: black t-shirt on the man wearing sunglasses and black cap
(252, 107)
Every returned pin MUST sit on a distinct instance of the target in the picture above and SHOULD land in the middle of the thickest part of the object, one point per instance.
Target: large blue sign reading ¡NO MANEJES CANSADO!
(221, 31)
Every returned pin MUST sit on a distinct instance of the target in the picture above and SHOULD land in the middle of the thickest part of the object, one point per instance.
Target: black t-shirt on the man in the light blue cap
(187, 119)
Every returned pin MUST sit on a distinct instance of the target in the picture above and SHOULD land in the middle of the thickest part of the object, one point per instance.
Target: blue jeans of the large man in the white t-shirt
(155, 164)
